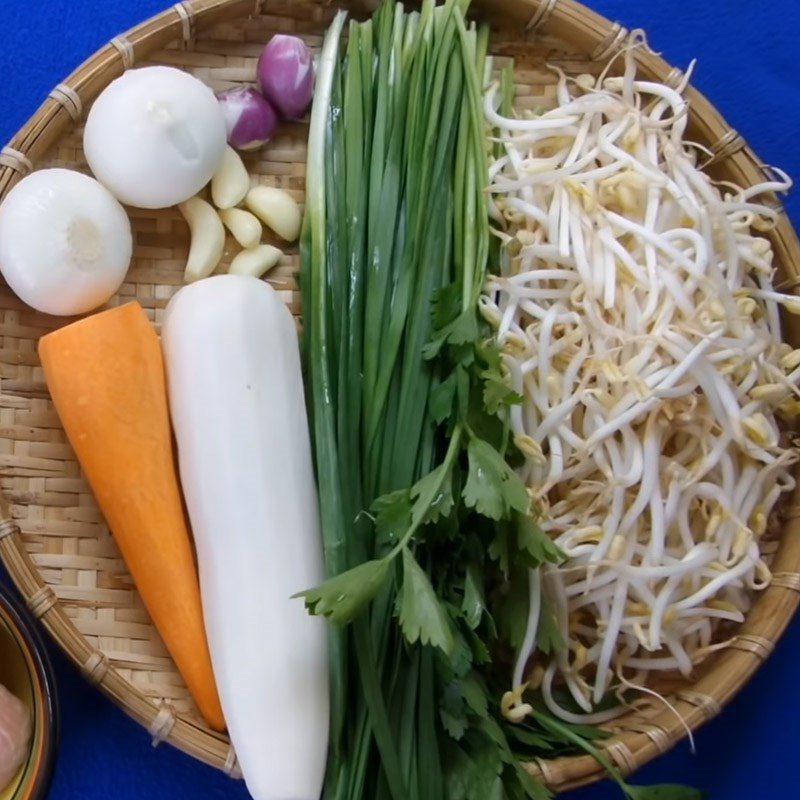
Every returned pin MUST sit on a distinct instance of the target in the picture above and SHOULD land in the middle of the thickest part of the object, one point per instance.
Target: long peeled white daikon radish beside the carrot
(236, 395)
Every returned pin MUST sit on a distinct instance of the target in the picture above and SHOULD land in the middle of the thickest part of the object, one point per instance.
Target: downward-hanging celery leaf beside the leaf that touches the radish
(422, 616)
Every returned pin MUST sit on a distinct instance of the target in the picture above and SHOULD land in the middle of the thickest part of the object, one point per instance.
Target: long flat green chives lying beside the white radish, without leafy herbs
(394, 214)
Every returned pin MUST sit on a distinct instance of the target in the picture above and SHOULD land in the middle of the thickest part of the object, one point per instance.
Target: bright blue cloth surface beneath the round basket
(749, 65)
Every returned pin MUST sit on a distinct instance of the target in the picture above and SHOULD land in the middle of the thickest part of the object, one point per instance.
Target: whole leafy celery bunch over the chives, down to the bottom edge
(444, 541)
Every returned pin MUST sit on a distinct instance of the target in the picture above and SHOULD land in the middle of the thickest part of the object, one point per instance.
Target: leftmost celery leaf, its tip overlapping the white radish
(344, 596)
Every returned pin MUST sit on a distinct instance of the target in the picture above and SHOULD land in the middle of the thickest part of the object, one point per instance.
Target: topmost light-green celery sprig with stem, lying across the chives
(473, 478)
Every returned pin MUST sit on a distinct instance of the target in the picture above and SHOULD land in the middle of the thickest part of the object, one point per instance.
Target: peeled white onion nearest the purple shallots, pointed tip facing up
(155, 137)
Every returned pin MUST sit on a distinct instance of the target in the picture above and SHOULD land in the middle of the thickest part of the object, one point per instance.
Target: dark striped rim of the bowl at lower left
(30, 638)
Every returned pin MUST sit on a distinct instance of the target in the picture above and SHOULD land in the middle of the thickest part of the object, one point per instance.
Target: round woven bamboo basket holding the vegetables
(53, 540)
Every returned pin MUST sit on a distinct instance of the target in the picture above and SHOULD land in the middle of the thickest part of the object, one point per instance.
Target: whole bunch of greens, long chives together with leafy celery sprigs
(425, 522)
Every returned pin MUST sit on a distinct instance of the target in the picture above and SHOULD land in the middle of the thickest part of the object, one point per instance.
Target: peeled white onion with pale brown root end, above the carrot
(65, 242)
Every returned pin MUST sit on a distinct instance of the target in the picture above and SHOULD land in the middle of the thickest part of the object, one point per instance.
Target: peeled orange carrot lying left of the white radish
(106, 376)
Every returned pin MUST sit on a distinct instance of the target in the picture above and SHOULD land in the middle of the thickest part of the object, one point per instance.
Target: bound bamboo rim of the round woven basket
(637, 738)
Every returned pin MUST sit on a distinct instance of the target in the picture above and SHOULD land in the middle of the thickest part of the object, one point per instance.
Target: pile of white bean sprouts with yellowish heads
(638, 319)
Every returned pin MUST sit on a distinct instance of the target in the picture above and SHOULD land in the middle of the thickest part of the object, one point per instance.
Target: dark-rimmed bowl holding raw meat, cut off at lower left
(25, 670)
